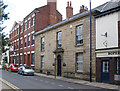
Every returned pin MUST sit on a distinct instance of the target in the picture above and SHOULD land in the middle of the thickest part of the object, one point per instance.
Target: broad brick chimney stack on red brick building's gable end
(52, 11)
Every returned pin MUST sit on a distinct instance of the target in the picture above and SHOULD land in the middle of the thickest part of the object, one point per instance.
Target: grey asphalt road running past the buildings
(38, 82)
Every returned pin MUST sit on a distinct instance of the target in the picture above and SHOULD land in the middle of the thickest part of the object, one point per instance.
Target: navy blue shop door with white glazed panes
(105, 71)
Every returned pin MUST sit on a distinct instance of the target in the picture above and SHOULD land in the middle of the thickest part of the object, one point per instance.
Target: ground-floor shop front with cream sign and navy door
(108, 66)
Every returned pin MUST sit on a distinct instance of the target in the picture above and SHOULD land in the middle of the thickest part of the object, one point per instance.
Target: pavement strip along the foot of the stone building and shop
(96, 84)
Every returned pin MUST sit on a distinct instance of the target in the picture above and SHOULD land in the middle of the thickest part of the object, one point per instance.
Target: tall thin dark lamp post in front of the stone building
(90, 44)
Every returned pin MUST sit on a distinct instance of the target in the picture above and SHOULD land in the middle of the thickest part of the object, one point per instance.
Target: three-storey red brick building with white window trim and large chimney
(22, 34)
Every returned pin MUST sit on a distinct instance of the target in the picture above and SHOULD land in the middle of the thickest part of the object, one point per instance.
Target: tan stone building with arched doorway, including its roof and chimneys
(63, 48)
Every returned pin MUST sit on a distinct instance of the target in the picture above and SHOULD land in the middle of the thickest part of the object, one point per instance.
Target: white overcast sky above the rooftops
(18, 9)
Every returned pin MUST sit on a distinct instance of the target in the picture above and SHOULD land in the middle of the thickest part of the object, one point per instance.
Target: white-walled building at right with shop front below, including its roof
(108, 44)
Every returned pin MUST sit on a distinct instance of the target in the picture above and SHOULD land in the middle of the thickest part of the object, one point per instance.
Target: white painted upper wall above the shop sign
(109, 24)
